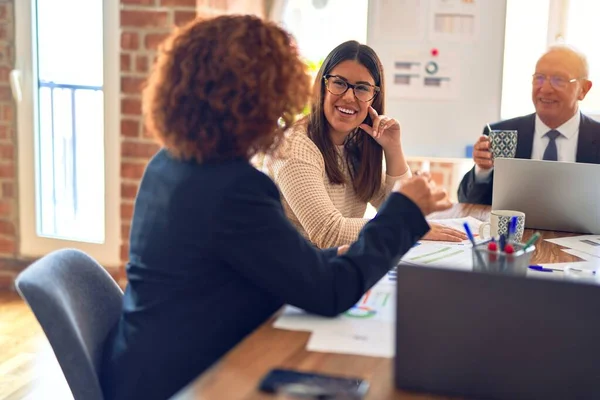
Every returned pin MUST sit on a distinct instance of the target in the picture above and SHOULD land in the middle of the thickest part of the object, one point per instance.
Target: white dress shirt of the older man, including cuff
(566, 143)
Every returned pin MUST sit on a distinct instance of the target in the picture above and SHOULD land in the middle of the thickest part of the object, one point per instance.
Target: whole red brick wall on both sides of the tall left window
(144, 23)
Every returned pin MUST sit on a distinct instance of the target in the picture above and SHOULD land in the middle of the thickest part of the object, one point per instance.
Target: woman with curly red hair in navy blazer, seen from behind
(212, 255)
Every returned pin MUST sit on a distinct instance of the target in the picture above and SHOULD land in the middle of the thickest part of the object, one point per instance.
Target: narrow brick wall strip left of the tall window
(8, 170)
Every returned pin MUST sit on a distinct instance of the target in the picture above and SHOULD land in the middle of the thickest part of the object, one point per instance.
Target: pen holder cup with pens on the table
(516, 263)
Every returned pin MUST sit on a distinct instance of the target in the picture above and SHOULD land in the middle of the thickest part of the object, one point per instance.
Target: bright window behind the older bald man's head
(548, 22)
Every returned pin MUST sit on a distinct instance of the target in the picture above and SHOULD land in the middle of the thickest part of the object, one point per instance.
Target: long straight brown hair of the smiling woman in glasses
(364, 156)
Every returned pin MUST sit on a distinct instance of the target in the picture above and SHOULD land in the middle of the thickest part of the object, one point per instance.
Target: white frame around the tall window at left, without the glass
(23, 82)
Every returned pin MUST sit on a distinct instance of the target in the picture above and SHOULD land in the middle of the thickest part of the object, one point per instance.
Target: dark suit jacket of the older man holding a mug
(588, 151)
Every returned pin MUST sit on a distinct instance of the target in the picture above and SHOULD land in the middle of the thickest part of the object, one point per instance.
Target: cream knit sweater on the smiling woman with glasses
(326, 214)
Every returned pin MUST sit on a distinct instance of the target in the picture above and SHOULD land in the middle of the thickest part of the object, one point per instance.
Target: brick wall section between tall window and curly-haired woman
(144, 23)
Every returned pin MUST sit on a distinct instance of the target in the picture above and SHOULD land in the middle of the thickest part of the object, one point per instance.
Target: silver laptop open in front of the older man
(553, 195)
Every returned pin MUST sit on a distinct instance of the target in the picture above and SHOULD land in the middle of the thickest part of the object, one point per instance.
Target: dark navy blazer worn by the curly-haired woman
(213, 256)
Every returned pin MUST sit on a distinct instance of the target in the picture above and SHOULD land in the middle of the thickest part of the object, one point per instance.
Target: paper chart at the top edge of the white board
(454, 20)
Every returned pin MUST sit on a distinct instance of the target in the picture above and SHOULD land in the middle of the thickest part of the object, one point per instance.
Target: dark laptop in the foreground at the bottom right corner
(474, 334)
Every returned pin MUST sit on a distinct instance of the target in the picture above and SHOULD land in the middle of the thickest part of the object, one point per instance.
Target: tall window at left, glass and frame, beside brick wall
(67, 131)
